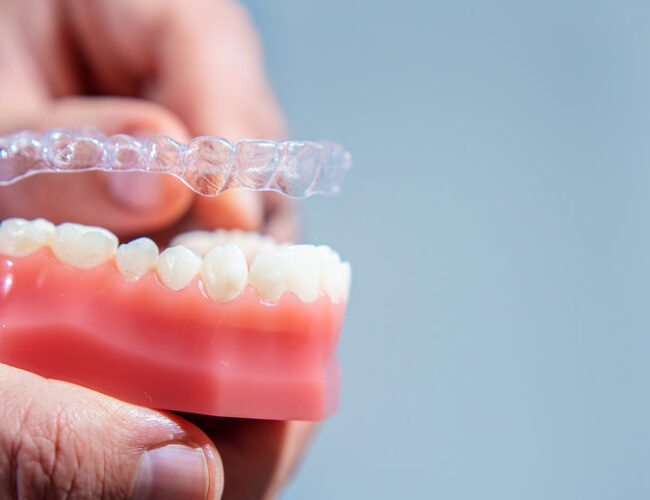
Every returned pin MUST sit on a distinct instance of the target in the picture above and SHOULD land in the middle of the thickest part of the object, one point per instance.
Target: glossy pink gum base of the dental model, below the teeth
(145, 344)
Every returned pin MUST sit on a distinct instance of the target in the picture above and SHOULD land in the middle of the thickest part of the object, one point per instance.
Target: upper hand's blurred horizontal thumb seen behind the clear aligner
(123, 202)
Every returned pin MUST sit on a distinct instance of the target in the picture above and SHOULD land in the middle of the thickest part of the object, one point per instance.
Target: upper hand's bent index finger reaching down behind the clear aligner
(201, 60)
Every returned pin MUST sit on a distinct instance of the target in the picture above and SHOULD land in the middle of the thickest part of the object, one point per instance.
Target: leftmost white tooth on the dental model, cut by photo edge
(19, 237)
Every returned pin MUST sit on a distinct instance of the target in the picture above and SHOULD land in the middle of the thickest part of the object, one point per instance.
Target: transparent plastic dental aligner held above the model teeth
(208, 165)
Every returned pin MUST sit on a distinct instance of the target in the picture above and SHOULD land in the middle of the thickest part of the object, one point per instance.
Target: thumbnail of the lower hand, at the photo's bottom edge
(172, 472)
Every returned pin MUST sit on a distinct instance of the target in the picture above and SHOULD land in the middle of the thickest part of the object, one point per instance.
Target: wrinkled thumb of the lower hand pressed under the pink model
(58, 440)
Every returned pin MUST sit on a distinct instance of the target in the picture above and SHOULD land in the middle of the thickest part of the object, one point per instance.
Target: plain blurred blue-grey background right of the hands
(497, 341)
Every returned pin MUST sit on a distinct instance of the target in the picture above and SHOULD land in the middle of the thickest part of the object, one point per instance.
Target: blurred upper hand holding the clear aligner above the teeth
(188, 68)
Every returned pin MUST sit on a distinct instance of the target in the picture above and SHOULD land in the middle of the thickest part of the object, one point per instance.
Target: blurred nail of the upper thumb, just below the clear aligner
(135, 190)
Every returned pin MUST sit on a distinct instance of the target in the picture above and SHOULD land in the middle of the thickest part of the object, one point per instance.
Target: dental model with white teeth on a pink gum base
(225, 323)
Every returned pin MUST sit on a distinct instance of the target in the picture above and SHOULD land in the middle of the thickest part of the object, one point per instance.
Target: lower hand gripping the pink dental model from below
(58, 440)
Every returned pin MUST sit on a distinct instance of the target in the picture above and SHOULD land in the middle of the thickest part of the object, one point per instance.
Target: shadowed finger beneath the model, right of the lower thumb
(258, 456)
